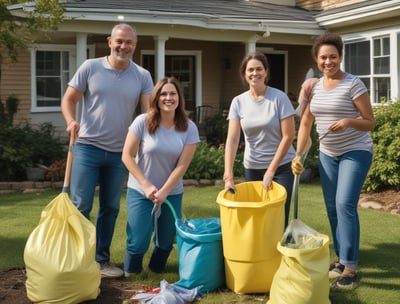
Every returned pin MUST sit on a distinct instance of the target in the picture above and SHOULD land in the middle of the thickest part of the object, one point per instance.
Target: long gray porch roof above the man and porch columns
(239, 15)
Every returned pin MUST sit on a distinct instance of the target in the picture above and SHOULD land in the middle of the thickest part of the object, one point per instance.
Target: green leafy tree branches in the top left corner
(18, 32)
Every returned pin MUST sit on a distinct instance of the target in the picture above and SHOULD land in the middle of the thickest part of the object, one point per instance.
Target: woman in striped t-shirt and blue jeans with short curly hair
(341, 108)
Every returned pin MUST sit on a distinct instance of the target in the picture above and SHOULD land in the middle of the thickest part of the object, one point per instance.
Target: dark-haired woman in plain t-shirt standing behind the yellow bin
(266, 117)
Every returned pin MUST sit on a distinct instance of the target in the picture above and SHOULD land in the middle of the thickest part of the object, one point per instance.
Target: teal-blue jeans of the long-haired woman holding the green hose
(140, 227)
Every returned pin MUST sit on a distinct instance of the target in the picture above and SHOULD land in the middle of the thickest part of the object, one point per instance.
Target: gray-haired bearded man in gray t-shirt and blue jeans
(111, 87)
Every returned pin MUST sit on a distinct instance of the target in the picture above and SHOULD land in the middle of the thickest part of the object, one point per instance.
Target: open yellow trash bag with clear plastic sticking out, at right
(302, 276)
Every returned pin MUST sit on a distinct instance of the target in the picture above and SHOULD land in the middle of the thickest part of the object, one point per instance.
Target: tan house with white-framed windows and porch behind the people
(202, 43)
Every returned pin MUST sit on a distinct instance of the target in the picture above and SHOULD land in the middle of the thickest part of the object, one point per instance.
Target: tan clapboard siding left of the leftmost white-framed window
(15, 79)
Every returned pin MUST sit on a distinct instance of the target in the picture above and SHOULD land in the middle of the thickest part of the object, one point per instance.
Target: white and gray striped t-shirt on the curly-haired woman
(331, 106)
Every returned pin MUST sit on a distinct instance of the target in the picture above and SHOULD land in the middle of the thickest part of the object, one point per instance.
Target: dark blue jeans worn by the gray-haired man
(92, 165)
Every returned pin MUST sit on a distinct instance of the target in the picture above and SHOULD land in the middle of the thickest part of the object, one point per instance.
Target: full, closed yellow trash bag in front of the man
(60, 256)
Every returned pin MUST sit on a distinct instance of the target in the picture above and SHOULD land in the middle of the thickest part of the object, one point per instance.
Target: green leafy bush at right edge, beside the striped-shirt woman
(385, 168)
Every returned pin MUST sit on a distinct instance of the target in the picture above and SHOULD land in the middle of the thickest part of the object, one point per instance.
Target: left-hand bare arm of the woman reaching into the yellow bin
(231, 146)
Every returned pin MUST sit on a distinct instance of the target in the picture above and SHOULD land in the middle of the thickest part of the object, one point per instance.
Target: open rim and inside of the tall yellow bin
(253, 195)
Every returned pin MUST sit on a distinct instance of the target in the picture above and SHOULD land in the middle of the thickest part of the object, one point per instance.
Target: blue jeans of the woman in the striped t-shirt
(342, 179)
